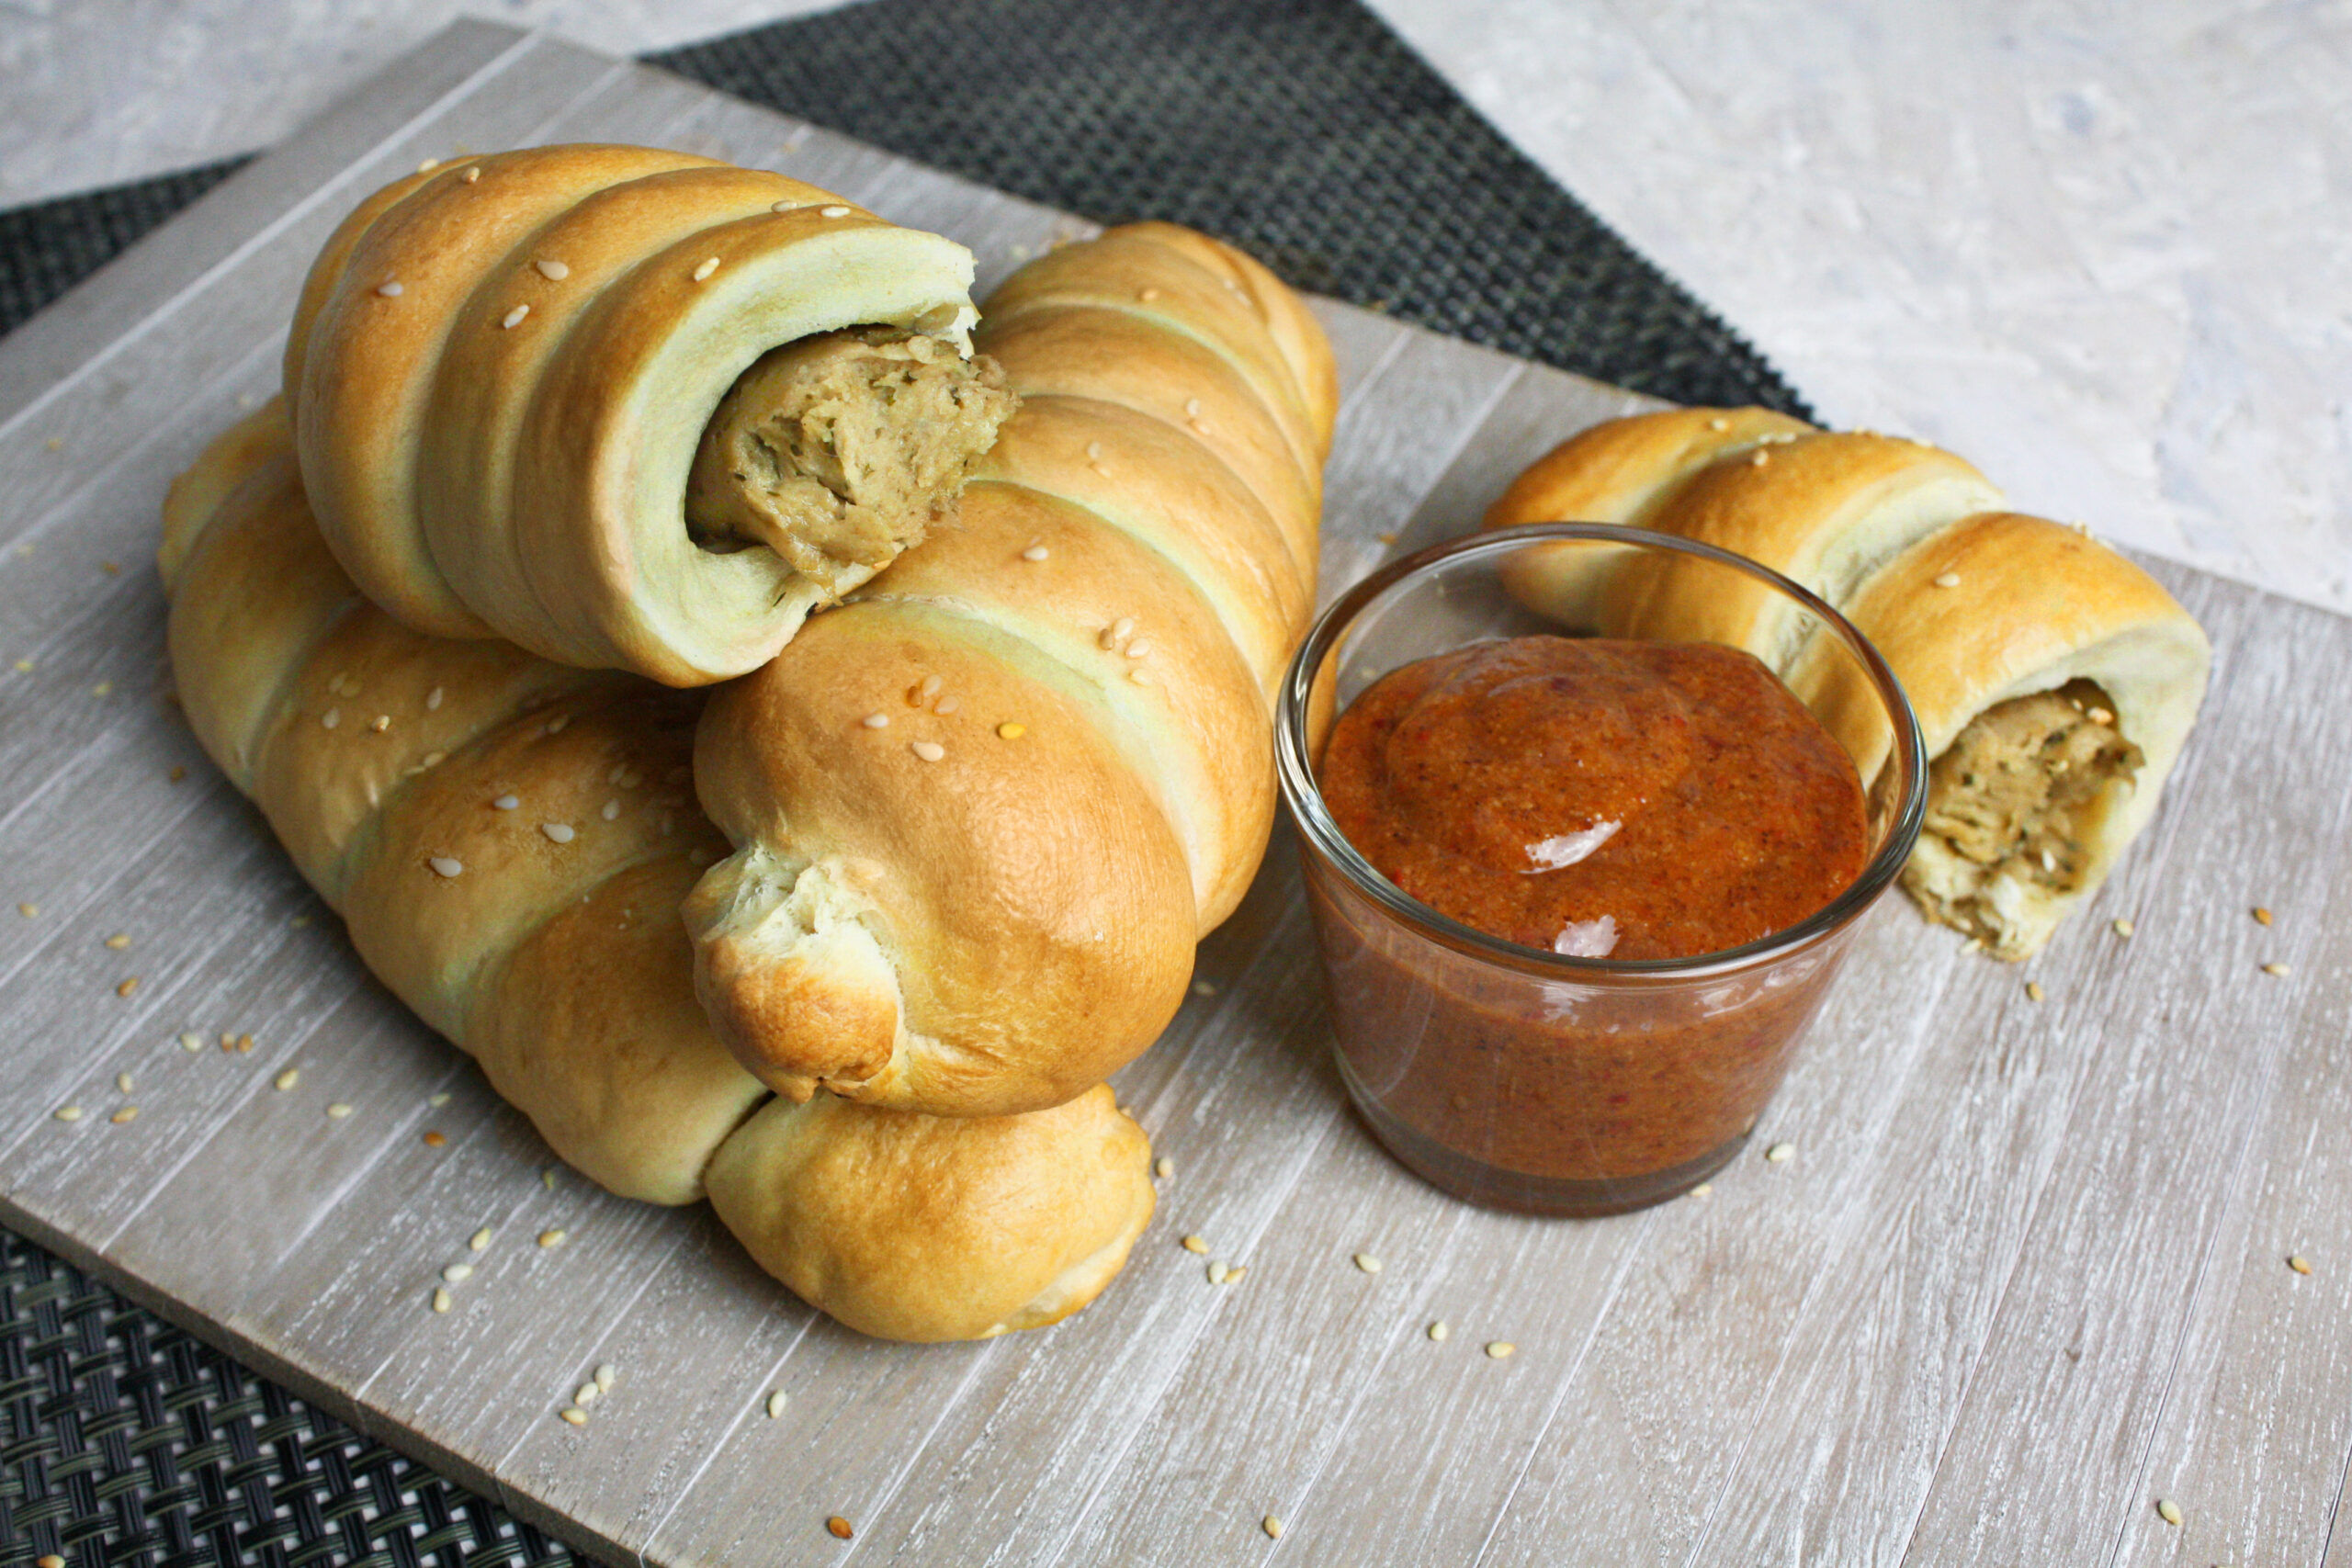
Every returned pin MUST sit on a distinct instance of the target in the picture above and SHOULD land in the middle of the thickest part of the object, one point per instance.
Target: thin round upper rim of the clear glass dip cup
(1304, 796)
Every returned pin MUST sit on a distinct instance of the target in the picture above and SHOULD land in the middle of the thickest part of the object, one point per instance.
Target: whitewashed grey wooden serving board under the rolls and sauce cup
(2024, 1278)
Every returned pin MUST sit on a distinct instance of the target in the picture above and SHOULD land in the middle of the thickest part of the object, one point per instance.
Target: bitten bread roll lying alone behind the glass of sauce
(2052, 678)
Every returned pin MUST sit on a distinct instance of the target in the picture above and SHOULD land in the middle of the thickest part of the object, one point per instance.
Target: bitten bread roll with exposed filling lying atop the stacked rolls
(507, 370)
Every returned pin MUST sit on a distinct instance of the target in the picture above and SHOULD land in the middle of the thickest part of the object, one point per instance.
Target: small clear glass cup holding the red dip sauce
(1558, 1085)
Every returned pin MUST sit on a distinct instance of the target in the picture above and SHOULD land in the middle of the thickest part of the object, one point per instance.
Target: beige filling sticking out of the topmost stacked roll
(843, 450)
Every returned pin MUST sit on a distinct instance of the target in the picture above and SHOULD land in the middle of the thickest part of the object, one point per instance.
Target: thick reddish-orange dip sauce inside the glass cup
(1629, 800)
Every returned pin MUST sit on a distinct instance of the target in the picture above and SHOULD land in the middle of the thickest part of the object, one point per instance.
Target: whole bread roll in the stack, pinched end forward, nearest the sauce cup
(987, 808)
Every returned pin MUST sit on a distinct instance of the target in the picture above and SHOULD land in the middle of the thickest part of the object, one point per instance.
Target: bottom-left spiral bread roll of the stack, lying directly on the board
(509, 843)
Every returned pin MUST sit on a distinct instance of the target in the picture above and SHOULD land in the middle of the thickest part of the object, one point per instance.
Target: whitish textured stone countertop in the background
(2104, 253)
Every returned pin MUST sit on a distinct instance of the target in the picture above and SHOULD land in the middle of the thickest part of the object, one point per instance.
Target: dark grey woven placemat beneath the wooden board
(1302, 130)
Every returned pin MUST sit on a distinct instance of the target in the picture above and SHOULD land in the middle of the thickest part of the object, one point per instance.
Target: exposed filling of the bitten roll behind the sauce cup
(2017, 798)
